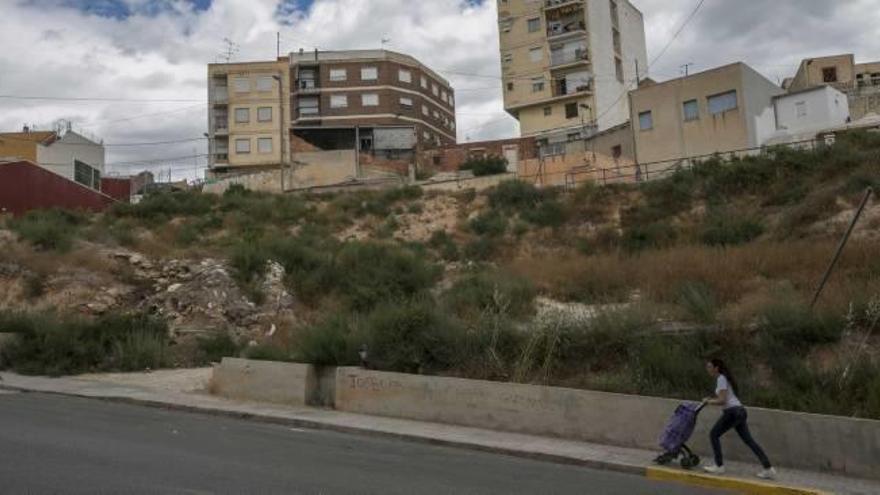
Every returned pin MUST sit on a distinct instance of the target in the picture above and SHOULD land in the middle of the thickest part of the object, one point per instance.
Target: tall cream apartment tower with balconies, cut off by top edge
(567, 65)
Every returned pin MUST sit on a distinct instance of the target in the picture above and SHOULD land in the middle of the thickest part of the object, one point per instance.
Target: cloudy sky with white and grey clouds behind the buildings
(139, 65)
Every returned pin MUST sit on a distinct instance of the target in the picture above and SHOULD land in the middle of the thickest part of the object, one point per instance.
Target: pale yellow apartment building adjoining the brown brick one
(248, 116)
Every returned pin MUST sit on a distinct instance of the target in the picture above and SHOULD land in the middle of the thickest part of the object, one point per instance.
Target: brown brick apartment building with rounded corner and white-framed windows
(382, 100)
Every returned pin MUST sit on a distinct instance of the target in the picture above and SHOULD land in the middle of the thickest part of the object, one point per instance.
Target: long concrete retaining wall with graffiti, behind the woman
(805, 441)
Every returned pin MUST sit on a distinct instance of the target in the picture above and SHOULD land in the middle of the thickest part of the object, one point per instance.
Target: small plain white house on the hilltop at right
(803, 114)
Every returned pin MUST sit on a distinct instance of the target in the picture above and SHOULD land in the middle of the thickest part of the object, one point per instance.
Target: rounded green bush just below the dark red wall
(48, 229)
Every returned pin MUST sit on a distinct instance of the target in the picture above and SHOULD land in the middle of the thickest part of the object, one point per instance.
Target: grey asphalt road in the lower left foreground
(53, 444)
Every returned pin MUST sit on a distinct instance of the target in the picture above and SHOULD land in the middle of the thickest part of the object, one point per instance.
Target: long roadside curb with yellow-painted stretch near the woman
(738, 485)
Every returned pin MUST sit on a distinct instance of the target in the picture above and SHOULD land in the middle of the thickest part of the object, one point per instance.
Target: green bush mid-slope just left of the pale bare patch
(493, 292)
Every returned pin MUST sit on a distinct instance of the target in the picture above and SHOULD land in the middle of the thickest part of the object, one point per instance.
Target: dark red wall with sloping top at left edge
(25, 186)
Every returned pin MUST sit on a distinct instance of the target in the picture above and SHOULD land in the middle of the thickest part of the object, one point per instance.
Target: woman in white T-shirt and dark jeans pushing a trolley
(734, 416)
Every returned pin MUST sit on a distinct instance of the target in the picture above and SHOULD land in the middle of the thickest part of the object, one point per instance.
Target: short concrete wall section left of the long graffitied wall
(265, 381)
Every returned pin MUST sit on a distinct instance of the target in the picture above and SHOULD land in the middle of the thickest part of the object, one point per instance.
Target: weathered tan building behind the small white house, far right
(860, 81)
